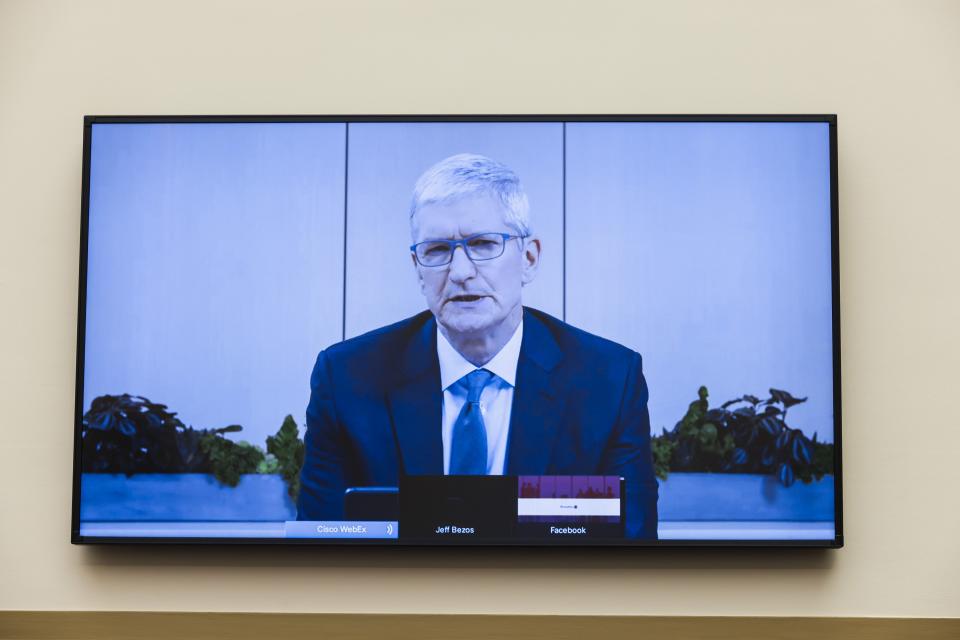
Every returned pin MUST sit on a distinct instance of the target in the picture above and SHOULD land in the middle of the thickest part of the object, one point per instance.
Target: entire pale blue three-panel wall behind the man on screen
(216, 266)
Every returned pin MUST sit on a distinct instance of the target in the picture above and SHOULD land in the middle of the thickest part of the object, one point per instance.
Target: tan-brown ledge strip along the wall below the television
(74, 625)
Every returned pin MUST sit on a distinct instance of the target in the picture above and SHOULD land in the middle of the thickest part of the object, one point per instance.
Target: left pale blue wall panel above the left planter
(215, 267)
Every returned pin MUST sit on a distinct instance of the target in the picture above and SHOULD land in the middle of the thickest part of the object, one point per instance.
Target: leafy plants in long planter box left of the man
(140, 462)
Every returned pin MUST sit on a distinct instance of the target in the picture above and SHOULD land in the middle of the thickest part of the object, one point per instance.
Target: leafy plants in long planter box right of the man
(742, 461)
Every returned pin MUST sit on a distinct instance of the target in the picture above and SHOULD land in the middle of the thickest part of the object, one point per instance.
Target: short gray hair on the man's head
(468, 174)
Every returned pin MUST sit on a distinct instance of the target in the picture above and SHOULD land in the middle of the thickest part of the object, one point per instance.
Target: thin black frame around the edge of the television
(89, 121)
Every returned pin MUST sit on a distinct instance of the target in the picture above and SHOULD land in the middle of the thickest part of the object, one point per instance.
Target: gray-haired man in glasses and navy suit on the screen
(478, 383)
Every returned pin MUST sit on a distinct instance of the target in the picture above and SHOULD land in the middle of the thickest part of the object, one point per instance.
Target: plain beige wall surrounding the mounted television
(891, 70)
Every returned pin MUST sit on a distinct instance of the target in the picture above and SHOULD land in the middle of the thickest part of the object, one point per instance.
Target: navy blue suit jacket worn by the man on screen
(579, 408)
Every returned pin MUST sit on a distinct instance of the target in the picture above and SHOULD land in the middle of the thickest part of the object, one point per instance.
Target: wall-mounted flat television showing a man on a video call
(508, 330)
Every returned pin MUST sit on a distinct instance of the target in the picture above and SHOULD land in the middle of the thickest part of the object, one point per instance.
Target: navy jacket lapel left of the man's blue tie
(415, 405)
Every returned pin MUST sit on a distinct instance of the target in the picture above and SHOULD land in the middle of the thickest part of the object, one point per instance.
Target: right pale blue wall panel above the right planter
(706, 247)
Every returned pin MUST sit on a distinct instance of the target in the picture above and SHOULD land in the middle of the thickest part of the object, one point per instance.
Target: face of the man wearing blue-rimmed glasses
(470, 297)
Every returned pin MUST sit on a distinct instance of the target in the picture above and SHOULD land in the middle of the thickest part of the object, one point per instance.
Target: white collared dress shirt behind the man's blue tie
(496, 400)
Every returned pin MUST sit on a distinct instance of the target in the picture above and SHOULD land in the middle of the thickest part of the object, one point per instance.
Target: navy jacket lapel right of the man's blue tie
(537, 407)
